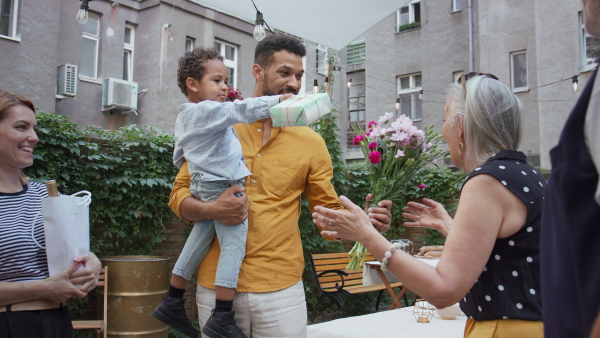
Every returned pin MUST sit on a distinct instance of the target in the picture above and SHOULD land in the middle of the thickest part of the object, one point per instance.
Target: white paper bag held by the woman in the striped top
(66, 229)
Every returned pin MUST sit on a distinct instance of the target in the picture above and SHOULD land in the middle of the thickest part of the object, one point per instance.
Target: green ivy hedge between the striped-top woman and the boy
(129, 172)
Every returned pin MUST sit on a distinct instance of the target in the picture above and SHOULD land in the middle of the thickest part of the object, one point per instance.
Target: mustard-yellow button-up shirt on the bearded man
(295, 160)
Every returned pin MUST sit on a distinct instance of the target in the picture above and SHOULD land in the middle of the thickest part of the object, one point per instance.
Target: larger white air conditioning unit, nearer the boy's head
(119, 94)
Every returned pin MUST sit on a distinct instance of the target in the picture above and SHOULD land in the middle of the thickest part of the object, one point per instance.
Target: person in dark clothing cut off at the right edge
(571, 217)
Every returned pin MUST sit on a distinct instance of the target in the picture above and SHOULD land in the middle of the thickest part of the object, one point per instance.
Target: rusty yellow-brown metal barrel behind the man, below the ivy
(136, 285)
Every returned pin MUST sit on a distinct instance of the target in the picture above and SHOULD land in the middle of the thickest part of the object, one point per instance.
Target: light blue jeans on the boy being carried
(232, 238)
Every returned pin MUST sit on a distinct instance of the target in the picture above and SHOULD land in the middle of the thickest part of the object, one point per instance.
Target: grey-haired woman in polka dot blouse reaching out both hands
(490, 262)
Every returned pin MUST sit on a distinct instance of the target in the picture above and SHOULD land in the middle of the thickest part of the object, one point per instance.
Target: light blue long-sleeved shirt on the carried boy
(205, 138)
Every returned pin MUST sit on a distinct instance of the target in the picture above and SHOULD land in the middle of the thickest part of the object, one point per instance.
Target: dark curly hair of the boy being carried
(191, 64)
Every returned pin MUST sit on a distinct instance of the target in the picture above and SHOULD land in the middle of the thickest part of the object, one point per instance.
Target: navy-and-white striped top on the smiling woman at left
(20, 259)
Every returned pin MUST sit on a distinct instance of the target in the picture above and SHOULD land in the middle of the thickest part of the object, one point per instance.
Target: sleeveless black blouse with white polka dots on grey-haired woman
(509, 285)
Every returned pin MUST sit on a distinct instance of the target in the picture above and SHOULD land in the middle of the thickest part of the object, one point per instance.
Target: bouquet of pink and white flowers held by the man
(394, 152)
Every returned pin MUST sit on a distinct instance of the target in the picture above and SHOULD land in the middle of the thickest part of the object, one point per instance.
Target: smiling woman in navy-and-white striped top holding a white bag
(32, 304)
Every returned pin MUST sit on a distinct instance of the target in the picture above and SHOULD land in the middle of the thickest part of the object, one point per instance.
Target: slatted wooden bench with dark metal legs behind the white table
(333, 279)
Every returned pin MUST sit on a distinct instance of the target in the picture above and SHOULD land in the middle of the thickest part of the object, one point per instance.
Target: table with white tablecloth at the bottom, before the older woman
(393, 323)
